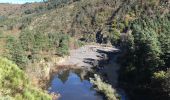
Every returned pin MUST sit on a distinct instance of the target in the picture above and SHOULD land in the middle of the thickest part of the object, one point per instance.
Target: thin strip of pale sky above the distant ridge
(18, 1)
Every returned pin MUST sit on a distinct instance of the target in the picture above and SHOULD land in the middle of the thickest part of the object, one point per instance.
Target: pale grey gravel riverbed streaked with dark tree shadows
(88, 56)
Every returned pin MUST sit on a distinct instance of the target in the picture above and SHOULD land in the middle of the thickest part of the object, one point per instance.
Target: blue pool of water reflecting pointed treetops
(72, 87)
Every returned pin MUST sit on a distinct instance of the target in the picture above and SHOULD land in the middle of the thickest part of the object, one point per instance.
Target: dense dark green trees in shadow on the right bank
(147, 55)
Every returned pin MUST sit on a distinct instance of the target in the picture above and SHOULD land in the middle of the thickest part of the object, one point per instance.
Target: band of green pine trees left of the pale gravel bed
(30, 45)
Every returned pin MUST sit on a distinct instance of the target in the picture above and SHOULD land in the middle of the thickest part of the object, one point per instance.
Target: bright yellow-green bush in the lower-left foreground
(14, 84)
